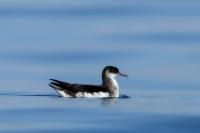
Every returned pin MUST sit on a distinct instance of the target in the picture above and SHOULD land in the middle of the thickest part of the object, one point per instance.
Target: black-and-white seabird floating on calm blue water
(108, 88)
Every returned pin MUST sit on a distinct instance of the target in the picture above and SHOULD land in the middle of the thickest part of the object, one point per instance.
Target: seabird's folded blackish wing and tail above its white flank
(72, 89)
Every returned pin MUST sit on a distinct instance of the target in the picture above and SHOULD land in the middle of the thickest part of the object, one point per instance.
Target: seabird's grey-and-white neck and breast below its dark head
(111, 83)
